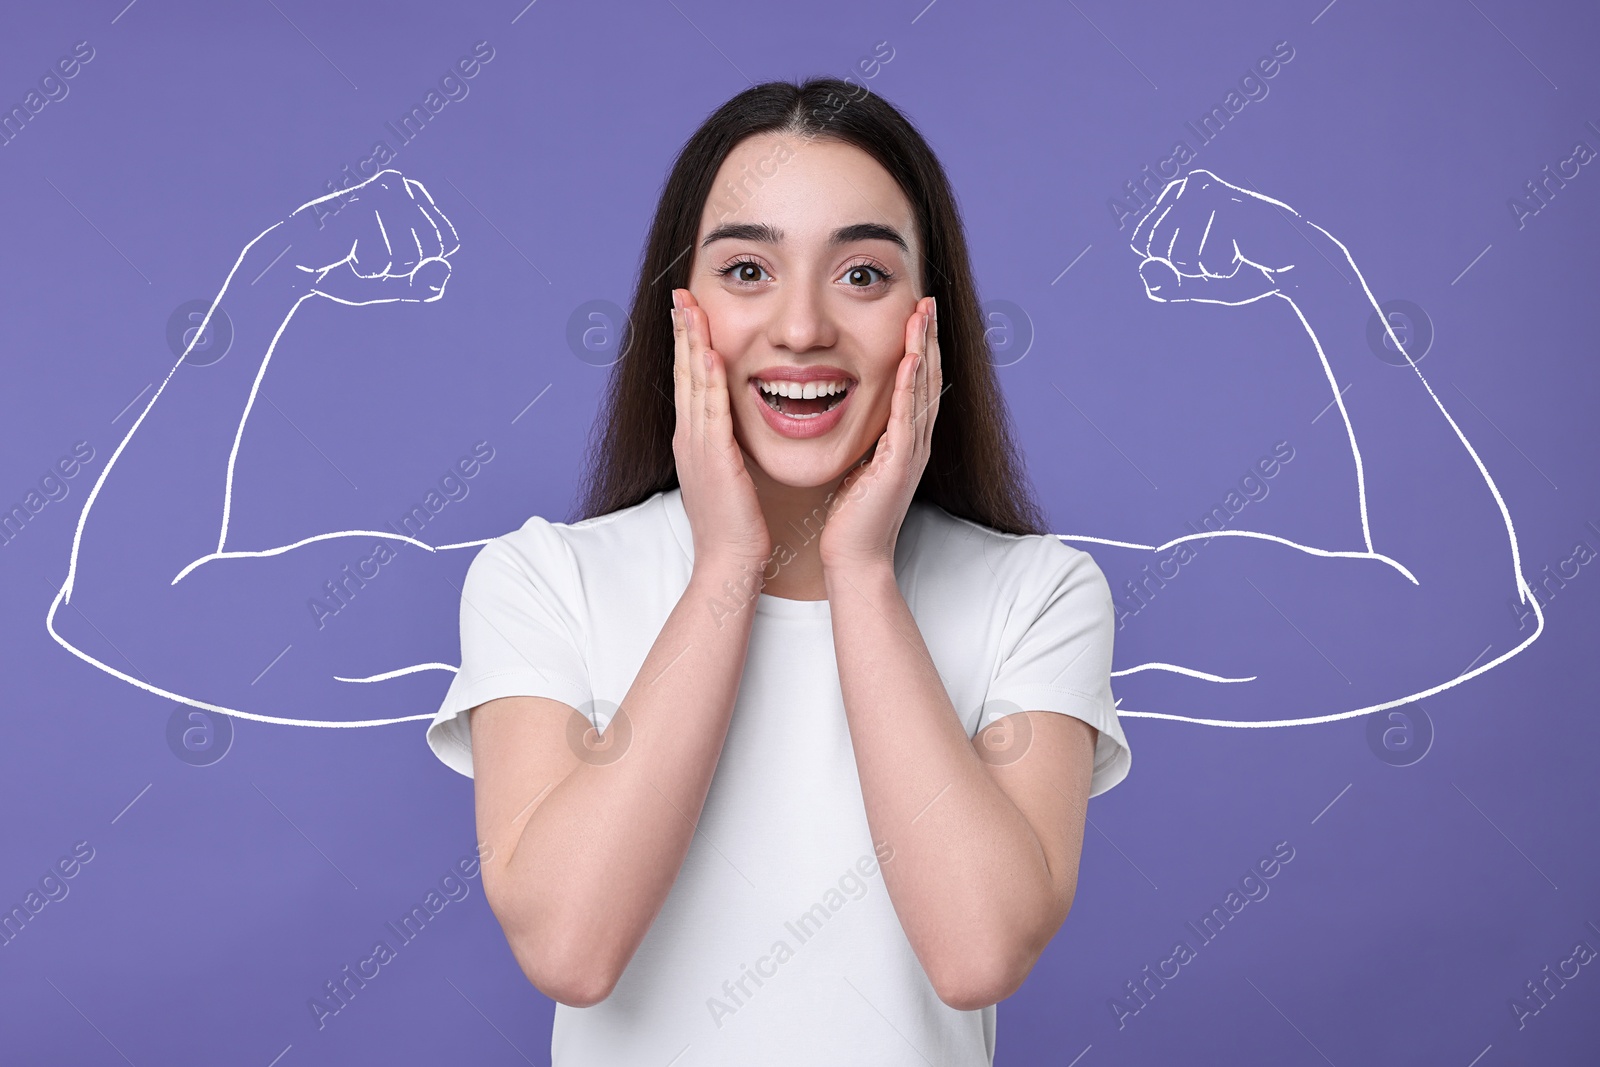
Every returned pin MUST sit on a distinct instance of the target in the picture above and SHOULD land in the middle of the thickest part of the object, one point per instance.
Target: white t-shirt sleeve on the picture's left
(521, 636)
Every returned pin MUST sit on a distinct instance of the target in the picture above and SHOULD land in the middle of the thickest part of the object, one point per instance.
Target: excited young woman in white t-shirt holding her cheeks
(783, 751)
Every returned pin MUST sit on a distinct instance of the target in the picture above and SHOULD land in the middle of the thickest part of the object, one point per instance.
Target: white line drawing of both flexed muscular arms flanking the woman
(414, 266)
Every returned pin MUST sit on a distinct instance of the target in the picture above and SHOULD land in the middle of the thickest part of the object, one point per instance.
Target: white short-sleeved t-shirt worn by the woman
(778, 943)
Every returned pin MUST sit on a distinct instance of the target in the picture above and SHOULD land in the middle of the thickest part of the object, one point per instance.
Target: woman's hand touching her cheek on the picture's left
(719, 494)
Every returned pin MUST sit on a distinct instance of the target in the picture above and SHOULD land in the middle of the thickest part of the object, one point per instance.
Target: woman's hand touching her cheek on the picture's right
(870, 506)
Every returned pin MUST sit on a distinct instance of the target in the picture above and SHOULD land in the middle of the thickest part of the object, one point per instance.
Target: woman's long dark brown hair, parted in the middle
(974, 470)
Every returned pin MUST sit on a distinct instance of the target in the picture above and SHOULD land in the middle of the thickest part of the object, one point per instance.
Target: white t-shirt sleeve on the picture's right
(1057, 653)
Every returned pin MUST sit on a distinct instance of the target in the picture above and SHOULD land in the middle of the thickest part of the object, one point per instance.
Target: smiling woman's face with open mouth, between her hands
(807, 266)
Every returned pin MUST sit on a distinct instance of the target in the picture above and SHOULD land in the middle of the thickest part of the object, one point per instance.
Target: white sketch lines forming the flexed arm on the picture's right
(1218, 271)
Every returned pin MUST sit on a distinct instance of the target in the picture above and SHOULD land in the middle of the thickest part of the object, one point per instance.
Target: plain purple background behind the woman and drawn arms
(1420, 900)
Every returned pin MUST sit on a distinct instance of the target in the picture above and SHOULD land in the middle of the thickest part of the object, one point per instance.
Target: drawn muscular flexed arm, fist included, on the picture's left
(158, 593)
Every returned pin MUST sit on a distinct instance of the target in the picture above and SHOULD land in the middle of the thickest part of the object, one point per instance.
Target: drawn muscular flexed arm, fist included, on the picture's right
(1281, 633)
